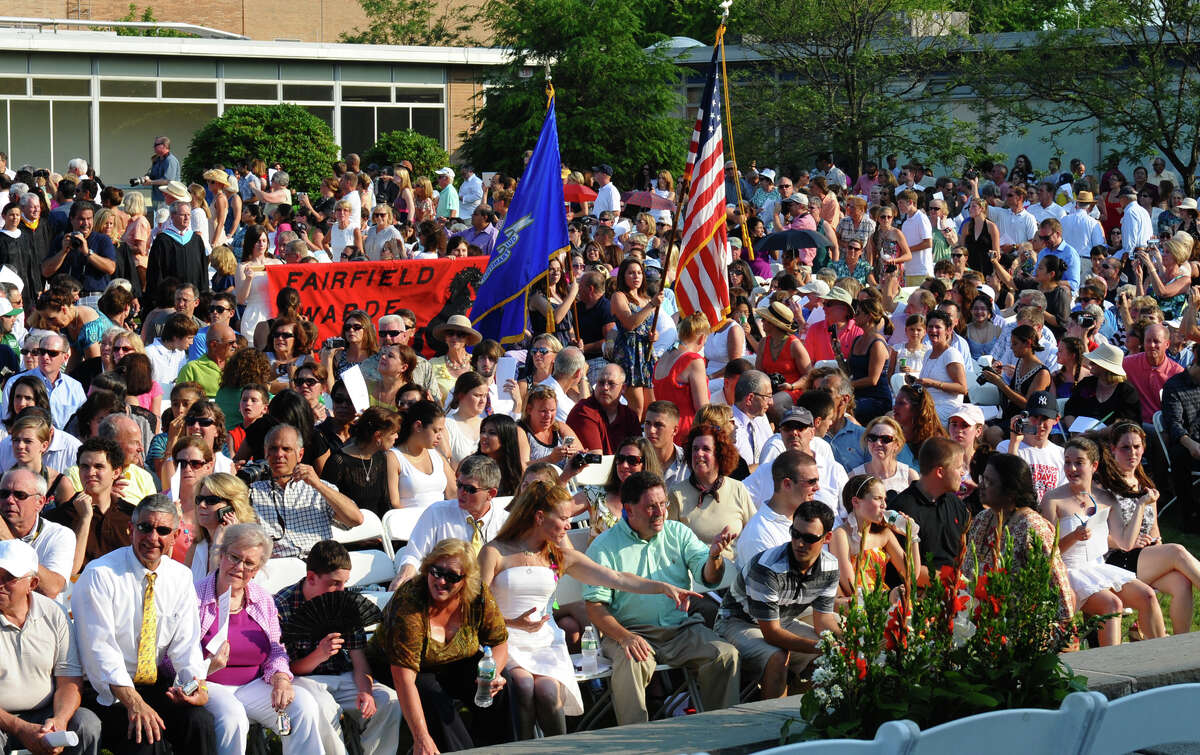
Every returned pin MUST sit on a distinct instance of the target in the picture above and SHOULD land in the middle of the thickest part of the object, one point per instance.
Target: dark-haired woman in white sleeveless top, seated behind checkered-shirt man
(425, 476)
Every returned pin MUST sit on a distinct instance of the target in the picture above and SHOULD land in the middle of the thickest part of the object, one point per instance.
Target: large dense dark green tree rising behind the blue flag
(616, 103)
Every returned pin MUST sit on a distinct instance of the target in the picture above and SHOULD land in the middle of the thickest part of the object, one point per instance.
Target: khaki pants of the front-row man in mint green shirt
(693, 646)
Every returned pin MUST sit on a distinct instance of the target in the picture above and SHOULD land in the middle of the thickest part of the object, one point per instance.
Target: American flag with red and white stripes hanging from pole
(703, 285)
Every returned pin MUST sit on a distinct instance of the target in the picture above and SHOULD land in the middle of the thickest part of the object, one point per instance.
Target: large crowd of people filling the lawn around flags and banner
(1011, 352)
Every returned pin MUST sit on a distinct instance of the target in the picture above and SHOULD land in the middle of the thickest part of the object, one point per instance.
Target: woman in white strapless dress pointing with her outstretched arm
(521, 567)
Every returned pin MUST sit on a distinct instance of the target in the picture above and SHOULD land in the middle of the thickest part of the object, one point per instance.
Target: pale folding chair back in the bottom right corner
(1148, 720)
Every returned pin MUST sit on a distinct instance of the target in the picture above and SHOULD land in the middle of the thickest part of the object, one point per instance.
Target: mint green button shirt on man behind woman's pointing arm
(676, 556)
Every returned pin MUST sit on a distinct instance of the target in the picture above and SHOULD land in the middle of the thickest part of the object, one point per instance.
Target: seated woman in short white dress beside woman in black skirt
(1083, 513)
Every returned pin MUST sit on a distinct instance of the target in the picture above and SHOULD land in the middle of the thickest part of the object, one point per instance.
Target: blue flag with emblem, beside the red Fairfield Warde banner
(536, 229)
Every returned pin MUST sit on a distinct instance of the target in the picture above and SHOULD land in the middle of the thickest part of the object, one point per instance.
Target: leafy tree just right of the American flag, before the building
(849, 77)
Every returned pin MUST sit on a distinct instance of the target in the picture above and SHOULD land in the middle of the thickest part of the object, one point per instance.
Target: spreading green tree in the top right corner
(1130, 77)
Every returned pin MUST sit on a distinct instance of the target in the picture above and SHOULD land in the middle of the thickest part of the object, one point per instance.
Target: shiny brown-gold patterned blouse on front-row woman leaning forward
(404, 637)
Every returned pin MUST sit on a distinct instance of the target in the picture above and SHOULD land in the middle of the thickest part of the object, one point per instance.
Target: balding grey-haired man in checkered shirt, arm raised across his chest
(298, 510)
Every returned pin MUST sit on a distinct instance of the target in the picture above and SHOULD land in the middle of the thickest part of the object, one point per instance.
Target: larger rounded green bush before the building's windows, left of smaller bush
(278, 134)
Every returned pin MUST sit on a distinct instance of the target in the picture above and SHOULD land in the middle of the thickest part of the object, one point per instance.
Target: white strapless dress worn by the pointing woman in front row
(543, 652)
